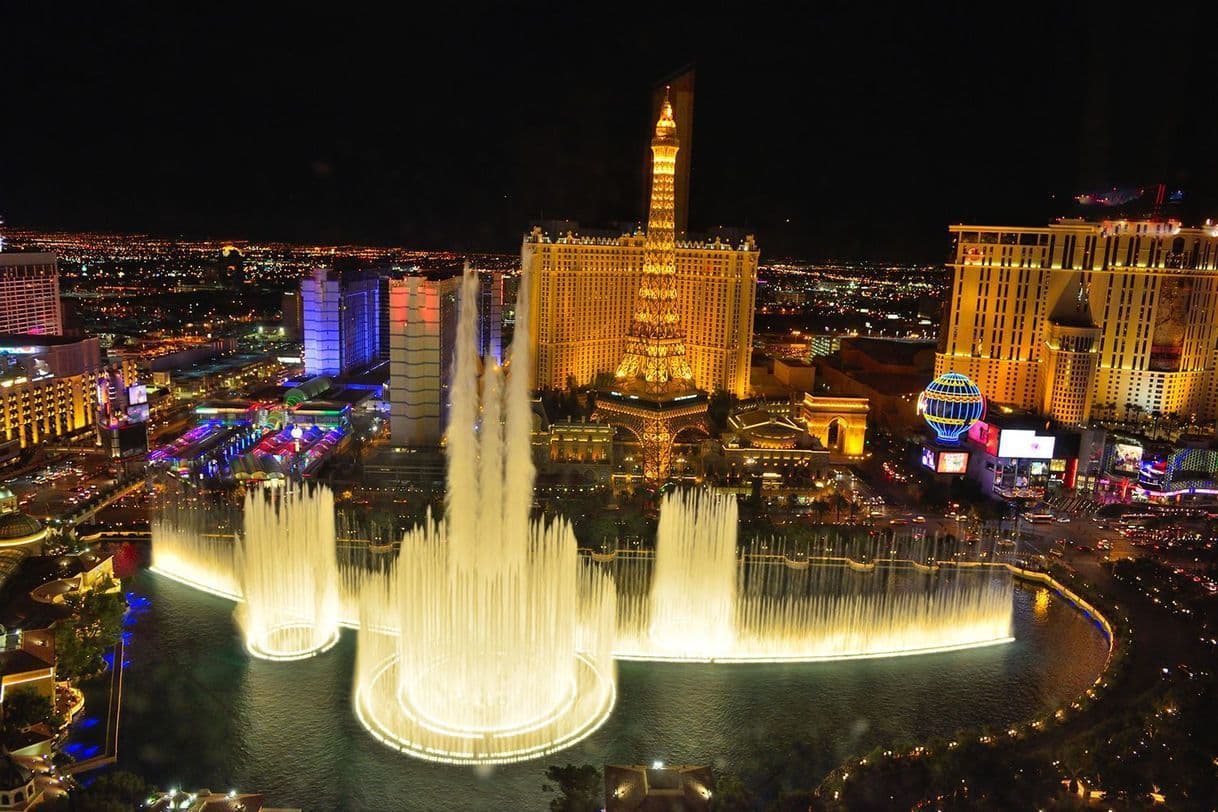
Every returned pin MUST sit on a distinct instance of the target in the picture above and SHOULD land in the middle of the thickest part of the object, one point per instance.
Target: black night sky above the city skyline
(869, 131)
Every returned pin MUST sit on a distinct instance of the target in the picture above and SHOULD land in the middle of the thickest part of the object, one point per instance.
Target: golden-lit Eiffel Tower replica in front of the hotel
(655, 396)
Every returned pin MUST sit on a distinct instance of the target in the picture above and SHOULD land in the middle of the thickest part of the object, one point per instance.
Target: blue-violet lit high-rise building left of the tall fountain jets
(342, 322)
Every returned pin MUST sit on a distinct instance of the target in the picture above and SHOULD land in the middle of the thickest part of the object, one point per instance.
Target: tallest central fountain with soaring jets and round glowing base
(489, 641)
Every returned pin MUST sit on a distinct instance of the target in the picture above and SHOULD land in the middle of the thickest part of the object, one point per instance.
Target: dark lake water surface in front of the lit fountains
(199, 713)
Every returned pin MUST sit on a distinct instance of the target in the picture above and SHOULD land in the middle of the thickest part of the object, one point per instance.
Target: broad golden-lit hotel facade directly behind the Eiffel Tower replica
(583, 296)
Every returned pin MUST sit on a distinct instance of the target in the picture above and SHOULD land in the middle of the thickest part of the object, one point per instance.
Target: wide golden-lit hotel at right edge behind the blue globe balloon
(1086, 320)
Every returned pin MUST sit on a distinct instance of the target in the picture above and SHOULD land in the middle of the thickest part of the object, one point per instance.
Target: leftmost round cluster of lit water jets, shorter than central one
(288, 574)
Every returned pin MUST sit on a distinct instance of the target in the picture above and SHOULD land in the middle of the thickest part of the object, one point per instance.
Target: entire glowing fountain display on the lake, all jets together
(490, 640)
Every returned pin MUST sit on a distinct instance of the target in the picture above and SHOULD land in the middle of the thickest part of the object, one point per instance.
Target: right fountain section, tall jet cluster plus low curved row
(697, 601)
